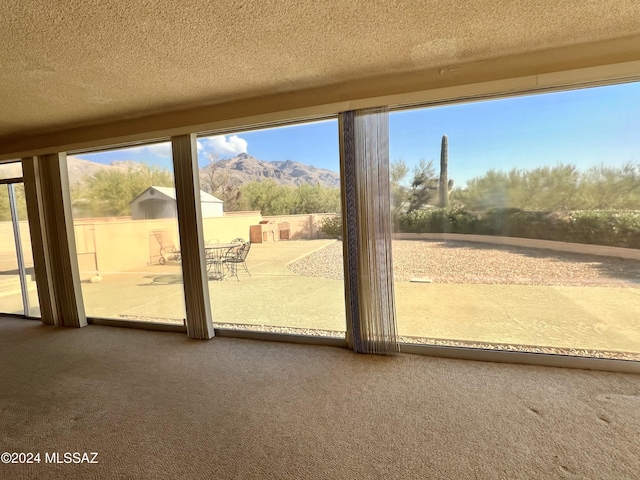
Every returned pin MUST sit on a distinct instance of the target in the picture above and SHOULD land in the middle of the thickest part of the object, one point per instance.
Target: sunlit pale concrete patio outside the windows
(564, 317)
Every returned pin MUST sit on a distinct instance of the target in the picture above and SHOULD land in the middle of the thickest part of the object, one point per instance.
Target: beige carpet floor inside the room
(158, 405)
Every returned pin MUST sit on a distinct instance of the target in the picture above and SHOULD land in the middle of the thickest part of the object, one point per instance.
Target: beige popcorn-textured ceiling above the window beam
(76, 62)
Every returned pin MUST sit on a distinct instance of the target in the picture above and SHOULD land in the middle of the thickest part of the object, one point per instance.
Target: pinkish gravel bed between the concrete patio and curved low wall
(467, 262)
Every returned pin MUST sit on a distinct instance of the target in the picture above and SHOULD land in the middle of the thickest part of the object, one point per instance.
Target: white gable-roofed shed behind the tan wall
(160, 202)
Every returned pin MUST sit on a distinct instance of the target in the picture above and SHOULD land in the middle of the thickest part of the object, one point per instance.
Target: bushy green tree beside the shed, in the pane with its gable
(109, 192)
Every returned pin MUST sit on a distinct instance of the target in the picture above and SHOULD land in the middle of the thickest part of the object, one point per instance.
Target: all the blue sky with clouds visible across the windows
(585, 127)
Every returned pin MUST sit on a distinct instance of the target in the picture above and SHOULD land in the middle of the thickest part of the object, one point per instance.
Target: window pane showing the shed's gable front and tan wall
(126, 231)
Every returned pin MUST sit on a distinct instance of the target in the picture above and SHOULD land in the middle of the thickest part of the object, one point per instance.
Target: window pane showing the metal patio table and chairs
(278, 191)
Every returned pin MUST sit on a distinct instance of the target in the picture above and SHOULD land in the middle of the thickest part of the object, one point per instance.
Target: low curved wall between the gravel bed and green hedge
(601, 250)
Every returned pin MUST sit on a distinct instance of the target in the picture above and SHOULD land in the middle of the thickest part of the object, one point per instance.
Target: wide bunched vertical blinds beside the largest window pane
(365, 151)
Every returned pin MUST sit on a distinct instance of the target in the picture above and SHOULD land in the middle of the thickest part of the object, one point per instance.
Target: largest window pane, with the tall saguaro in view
(510, 233)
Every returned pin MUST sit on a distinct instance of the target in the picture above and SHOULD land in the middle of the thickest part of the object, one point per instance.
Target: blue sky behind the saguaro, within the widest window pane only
(585, 127)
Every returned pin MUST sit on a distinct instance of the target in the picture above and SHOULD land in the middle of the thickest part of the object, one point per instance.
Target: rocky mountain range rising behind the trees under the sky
(239, 170)
